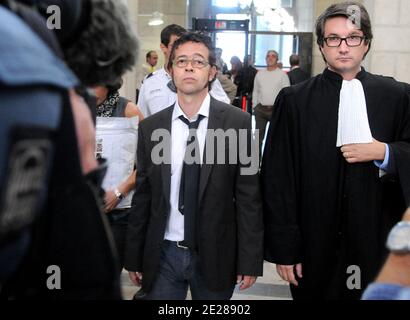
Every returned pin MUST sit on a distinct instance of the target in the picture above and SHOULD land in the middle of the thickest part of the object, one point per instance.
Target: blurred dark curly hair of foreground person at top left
(107, 48)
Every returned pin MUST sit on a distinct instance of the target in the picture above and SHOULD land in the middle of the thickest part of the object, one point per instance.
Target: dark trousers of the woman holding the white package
(118, 220)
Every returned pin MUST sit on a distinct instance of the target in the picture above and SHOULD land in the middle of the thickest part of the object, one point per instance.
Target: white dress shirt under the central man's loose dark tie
(179, 137)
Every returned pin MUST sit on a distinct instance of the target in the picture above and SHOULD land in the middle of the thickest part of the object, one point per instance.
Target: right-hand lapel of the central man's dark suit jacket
(215, 122)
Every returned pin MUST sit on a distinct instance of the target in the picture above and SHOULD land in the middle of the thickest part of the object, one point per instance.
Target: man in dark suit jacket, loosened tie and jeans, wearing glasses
(195, 224)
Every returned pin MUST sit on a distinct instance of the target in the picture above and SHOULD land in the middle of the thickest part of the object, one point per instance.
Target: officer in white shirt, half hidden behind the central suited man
(158, 91)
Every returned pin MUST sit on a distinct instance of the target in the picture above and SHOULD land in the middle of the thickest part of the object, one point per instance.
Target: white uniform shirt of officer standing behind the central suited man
(155, 95)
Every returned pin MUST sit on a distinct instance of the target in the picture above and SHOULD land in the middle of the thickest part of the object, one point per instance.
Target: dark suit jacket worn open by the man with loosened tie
(229, 222)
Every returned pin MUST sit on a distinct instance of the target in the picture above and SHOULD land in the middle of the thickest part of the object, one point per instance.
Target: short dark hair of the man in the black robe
(347, 10)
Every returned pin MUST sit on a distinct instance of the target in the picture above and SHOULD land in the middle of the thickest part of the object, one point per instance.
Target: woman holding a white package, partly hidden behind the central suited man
(118, 133)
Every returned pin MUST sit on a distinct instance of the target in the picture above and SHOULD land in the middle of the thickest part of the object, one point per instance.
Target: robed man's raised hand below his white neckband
(364, 152)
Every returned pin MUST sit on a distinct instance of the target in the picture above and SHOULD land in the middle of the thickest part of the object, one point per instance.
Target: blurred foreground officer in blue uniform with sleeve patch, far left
(30, 113)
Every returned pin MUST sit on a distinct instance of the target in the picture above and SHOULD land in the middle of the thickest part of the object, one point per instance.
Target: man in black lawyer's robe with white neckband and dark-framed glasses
(336, 167)
